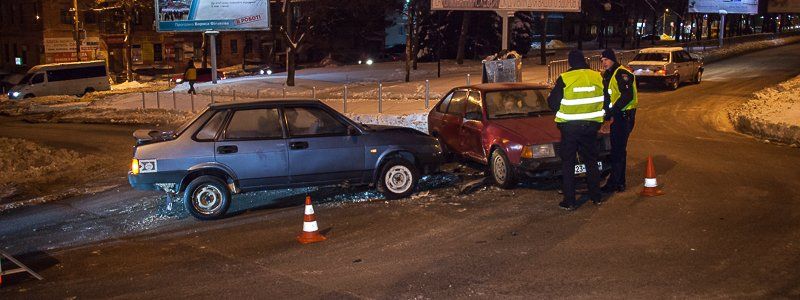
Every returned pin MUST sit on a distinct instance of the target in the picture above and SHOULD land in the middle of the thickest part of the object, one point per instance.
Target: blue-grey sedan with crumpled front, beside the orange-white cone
(248, 146)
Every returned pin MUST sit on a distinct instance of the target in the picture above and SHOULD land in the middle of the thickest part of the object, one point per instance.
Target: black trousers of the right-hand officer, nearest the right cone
(620, 131)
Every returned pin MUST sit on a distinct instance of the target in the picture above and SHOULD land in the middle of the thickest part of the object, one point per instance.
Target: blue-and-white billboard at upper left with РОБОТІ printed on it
(206, 15)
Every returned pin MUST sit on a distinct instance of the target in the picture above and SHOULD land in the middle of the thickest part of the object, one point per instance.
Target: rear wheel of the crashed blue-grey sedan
(207, 198)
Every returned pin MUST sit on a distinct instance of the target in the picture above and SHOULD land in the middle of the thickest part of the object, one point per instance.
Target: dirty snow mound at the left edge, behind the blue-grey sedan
(26, 165)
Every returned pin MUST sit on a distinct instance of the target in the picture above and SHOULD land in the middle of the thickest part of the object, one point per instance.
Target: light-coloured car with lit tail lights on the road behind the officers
(668, 65)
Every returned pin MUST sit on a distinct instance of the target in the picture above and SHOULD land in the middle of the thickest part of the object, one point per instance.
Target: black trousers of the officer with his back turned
(579, 138)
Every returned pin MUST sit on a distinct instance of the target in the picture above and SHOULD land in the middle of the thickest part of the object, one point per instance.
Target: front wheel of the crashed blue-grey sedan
(398, 178)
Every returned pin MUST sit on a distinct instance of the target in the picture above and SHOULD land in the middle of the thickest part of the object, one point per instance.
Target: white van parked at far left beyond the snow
(76, 78)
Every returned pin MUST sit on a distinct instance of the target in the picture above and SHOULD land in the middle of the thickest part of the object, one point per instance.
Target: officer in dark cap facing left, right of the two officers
(621, 99)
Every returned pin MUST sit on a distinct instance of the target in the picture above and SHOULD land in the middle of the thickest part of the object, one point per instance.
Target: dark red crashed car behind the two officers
(507, 126)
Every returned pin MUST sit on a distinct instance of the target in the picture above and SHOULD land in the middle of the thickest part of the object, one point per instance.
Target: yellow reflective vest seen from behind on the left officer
(583, 97)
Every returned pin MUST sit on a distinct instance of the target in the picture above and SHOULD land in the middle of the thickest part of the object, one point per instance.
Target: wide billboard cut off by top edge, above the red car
(509, 5)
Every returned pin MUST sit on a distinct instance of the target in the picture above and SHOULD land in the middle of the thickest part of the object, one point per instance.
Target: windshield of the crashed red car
(516, 103)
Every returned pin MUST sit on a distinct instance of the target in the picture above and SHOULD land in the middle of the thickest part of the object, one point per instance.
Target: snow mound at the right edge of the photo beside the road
(773, 114)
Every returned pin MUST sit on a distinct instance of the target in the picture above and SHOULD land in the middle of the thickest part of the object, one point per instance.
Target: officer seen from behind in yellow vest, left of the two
(578, 100)
